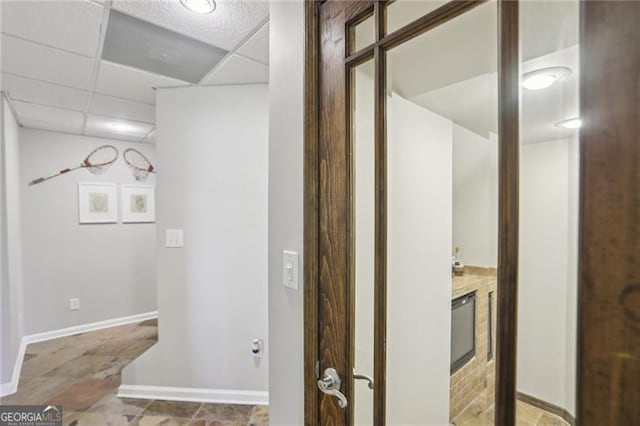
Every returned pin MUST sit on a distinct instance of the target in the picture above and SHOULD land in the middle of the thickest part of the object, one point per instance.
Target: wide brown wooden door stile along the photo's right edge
(608, 364)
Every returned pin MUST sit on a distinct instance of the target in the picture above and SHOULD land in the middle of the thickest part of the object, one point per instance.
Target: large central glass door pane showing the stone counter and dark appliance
(442, 222)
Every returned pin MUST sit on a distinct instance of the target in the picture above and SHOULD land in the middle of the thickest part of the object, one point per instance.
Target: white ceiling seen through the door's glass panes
(451, 70)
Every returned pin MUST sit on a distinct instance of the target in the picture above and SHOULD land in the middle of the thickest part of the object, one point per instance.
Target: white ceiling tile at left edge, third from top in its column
(39, 92)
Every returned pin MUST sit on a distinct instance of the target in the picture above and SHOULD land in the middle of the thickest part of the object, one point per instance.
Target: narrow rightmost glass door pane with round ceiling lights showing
(549, 34)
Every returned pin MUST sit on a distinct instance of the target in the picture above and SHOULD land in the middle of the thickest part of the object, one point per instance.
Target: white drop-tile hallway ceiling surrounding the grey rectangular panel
(55, 79)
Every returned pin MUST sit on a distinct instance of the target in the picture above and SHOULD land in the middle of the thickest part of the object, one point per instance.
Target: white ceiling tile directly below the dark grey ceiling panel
(130, 83)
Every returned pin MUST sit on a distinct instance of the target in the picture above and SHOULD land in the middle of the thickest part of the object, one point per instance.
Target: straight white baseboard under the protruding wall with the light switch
(168, 393)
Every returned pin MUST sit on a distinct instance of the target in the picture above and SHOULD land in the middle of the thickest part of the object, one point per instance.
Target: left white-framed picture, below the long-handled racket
(97, 202)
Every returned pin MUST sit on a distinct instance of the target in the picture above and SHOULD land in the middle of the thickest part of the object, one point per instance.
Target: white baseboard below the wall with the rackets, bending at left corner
(12, 386)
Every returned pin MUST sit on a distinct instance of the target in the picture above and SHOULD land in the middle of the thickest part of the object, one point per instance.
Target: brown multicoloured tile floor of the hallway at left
(82, 373)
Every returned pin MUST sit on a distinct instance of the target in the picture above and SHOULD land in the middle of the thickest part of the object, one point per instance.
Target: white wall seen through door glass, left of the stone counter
(419, 280)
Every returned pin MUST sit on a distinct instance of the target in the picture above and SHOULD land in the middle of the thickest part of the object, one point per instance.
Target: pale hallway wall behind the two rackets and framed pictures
(109, 267)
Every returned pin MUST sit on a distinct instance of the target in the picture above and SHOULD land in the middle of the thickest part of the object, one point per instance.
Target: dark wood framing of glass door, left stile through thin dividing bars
(329, 342)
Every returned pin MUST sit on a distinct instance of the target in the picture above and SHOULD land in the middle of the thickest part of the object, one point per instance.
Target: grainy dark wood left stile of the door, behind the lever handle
(334, 210)
